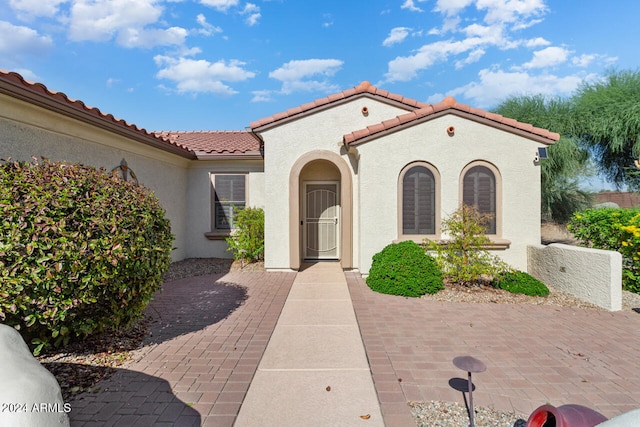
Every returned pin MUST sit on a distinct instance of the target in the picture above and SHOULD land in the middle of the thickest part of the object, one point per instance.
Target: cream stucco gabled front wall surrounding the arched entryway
(285, 144)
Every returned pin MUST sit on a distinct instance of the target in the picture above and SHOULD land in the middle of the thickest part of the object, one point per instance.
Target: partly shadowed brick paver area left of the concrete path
(208, 338)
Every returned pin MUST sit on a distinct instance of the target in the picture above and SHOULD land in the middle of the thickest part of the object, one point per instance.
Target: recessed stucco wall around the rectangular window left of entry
(200, 197)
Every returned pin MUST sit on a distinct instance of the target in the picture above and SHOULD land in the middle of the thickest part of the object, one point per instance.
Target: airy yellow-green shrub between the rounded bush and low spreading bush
(463, 258)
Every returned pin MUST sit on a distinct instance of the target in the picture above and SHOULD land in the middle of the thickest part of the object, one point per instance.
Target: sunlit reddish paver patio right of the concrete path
(534, 354)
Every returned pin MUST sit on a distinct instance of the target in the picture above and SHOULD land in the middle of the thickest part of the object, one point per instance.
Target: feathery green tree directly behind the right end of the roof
(568, 161)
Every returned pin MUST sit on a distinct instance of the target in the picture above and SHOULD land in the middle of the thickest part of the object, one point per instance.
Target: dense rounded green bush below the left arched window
(404, 269)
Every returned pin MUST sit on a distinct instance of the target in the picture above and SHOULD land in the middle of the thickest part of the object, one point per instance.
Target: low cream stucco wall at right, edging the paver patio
(594, 275)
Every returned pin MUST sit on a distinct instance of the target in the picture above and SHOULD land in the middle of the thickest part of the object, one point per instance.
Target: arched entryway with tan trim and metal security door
(321, 211)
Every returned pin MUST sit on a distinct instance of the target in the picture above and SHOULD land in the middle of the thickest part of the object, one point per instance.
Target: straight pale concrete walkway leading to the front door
(314, 371)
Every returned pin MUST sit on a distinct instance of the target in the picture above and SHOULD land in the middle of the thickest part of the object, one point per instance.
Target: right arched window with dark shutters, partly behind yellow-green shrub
(479, 191)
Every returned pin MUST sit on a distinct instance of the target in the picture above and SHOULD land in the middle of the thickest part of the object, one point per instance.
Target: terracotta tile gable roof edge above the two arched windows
(450, 105)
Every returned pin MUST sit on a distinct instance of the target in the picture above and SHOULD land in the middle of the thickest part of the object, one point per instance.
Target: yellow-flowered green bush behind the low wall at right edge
(612, 229)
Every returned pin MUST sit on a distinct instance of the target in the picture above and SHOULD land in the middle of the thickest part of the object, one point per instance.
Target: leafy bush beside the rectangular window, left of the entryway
(247, 241)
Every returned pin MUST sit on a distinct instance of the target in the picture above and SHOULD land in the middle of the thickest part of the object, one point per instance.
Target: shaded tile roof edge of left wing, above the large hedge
(15, 85)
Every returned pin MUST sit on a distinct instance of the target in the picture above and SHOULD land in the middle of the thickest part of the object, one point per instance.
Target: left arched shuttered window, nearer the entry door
(418, 200)
